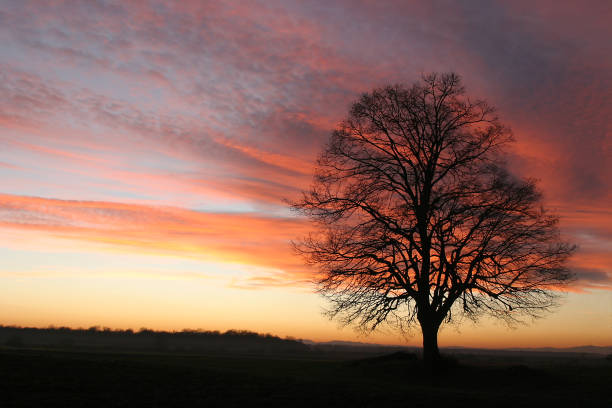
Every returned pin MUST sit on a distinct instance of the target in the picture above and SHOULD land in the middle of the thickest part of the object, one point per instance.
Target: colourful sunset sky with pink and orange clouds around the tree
(148, 149)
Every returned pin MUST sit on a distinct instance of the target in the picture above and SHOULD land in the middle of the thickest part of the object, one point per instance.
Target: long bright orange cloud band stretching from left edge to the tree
(260, 241)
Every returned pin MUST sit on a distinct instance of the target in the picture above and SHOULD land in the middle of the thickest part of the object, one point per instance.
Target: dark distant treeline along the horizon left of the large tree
(234, 341)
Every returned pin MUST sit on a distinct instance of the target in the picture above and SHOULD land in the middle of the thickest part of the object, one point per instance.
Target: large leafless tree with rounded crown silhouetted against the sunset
(418, 221)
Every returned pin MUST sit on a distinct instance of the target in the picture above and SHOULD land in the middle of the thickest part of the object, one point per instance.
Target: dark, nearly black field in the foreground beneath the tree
(56, 378)
